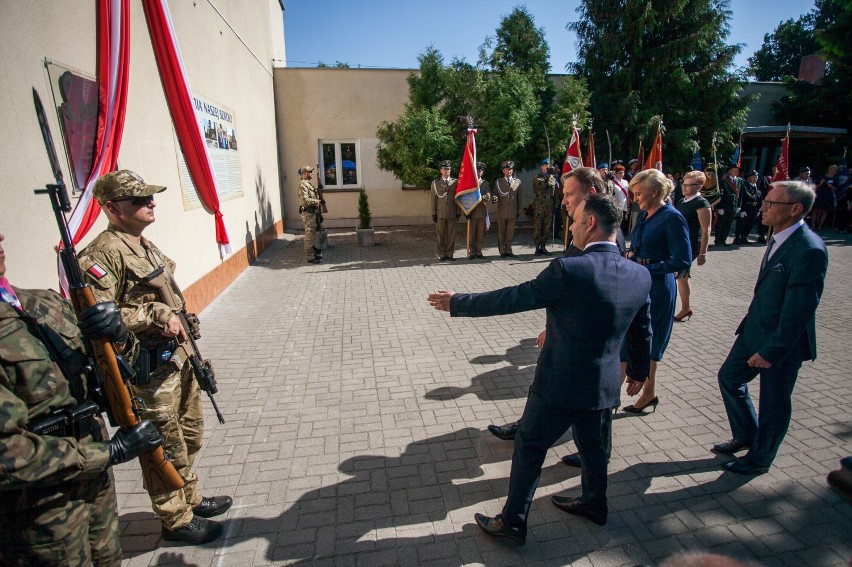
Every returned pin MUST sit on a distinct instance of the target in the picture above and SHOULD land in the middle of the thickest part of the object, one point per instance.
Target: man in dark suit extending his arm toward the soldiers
(592, 302)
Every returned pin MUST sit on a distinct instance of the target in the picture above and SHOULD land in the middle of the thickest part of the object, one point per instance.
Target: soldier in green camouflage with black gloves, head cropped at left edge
(56, 487)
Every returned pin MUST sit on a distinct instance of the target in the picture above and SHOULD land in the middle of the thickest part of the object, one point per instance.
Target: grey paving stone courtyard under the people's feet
(356, 419)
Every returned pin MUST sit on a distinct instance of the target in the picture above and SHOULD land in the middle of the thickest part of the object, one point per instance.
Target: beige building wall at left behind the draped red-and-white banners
(228, 50)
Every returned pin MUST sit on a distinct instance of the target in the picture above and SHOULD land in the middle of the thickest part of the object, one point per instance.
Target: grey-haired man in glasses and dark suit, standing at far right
(778, 332)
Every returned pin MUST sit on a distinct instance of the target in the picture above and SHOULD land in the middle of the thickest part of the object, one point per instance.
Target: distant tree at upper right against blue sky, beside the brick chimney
(783, 49)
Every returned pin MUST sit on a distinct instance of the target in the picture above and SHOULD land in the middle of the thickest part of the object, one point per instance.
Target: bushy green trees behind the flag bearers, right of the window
(507, 95)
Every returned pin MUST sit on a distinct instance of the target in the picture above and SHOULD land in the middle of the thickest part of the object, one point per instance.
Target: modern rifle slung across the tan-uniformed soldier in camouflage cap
(201, 368)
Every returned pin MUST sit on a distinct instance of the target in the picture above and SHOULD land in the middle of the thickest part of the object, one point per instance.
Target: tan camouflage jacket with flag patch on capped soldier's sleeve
(115, 265)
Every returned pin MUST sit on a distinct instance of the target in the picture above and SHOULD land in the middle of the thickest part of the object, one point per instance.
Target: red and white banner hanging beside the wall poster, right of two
(188, 129)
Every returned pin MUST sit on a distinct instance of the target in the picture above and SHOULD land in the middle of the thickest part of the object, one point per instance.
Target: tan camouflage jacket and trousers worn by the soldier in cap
(115, 265)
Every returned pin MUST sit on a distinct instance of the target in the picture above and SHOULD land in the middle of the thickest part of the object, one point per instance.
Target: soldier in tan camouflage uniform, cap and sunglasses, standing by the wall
(116, 264)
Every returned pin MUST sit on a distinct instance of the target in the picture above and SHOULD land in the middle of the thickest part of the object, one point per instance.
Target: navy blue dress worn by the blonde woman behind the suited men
(662, 243)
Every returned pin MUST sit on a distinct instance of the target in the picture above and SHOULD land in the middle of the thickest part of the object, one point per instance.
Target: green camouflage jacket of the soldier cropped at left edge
(31, 386)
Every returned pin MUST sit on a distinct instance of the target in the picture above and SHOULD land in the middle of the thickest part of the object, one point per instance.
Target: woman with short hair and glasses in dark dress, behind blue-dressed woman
(696, 210)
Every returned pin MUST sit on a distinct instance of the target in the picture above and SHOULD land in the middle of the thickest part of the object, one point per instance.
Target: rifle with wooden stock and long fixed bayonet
(110, 369)
